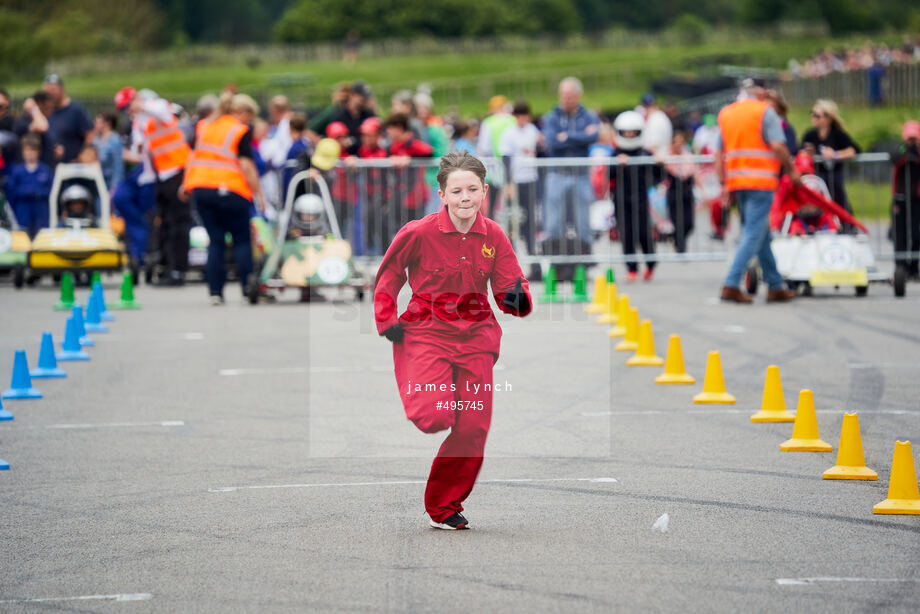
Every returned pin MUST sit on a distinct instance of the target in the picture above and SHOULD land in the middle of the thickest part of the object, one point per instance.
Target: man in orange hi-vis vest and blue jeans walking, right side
(751, 153)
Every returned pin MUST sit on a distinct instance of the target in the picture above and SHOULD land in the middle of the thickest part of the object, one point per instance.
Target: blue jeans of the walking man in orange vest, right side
(755, 239)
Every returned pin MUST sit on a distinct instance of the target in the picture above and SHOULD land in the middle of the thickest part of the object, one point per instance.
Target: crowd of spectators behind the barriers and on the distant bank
(379, 163)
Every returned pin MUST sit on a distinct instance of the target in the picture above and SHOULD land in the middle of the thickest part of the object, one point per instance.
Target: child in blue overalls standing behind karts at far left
(28, 185)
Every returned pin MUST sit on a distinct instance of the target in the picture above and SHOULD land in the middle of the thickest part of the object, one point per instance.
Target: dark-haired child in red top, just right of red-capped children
(410, 186)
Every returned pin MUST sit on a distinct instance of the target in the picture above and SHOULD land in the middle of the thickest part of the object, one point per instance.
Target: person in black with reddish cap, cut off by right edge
(905, 206)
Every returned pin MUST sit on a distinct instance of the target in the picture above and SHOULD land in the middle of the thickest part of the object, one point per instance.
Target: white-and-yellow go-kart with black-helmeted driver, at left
(78, 241)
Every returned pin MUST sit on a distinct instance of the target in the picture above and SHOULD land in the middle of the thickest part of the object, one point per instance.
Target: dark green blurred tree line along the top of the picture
(34, 31)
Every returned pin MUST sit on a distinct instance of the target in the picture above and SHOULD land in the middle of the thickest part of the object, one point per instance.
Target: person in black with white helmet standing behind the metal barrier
(629, 186)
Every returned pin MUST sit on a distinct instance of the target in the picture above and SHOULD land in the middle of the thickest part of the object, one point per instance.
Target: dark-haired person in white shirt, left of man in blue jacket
(520, 141)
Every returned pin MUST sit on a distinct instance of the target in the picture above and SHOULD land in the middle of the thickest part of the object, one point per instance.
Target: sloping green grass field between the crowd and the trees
(614, 77)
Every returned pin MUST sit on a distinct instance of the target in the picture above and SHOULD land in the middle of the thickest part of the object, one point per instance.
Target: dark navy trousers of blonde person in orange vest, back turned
(223, 213)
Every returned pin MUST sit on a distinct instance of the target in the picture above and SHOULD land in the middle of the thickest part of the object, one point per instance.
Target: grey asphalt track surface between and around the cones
(257, 459)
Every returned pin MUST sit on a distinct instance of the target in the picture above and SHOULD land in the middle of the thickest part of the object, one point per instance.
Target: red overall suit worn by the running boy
(444, 363)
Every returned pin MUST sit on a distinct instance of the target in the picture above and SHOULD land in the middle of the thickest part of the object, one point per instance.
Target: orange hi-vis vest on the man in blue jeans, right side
(750, 163)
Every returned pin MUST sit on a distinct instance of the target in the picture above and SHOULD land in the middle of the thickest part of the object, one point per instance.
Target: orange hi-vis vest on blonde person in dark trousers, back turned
(214, 162)
